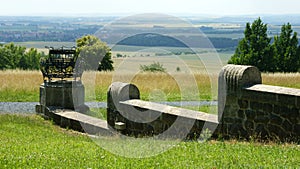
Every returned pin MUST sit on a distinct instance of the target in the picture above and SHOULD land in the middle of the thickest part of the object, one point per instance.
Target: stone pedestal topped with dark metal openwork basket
(62, 87)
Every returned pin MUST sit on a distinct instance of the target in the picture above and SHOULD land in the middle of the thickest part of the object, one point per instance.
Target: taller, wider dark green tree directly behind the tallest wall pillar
(255, 49)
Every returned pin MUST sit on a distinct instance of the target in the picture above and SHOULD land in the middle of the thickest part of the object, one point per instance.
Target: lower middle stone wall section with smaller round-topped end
(131, 116)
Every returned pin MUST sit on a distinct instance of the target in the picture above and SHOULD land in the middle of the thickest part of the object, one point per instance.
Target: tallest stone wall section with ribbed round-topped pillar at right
(249, 109)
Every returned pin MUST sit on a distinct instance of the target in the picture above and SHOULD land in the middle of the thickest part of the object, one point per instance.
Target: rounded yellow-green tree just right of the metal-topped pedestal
(94, 54)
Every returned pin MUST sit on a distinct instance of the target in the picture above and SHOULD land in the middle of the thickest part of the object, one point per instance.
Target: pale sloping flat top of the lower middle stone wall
(191, 114)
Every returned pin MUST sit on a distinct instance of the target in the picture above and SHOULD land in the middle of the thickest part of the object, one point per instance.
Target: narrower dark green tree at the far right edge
(285, 50)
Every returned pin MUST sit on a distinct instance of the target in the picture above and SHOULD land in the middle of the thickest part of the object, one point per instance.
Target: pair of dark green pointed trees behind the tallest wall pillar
(283, 55)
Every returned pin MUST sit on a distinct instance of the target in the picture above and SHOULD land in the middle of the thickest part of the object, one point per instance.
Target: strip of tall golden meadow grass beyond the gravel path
(16, 85)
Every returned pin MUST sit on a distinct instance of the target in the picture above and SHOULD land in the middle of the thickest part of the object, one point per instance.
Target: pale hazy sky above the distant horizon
(179, 7)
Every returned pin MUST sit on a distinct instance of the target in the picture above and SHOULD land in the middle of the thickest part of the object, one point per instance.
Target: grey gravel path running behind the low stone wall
(29, 107)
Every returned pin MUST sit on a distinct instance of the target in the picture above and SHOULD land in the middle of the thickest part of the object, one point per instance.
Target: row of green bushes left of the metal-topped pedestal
(16, 57)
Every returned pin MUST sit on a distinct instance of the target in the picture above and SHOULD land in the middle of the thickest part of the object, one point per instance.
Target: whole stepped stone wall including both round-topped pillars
(246, 109)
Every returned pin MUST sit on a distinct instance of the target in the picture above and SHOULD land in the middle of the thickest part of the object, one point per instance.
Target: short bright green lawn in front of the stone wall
(28, 141)
